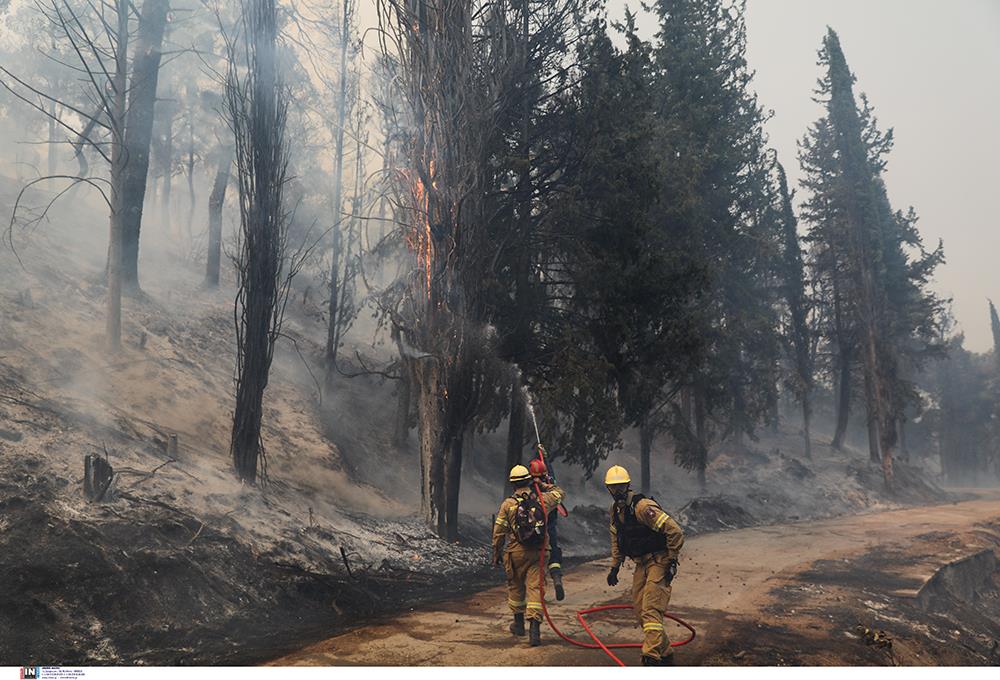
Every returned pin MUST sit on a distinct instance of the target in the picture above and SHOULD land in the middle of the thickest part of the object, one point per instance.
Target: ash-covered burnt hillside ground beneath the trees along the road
(184, 564)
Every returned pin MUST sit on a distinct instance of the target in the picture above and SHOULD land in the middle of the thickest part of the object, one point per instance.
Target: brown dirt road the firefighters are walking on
(740, 589)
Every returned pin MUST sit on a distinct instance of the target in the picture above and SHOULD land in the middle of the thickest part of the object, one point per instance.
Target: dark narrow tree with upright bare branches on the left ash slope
(257, 107)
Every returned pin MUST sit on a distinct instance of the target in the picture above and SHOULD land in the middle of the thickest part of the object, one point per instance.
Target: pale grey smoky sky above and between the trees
(932, 71)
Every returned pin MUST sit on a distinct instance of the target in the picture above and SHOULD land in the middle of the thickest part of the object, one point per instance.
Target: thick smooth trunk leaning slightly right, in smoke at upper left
(139, 130)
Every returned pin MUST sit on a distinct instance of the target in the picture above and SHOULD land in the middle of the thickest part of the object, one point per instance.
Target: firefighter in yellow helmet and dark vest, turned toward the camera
(640, 529)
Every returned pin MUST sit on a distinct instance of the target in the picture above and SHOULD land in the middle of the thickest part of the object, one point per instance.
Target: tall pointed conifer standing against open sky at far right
(864, 249)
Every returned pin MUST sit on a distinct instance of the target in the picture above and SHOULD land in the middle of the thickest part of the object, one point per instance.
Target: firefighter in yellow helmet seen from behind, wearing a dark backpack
(521, 525)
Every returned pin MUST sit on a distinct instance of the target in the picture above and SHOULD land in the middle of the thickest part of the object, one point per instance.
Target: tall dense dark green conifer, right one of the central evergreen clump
(717, 191)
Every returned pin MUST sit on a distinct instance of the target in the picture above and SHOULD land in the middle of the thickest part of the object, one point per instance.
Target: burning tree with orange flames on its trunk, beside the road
(452, 109)
